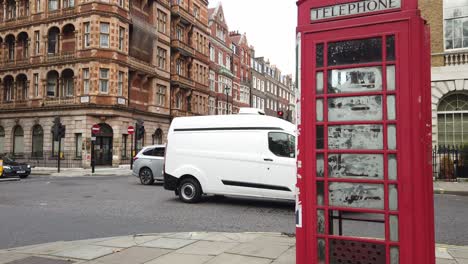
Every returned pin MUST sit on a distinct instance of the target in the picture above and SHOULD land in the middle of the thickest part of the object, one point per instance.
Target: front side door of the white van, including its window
(280, 177)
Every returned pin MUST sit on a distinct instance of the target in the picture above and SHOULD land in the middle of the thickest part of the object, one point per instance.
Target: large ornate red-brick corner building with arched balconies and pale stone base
(98, 62)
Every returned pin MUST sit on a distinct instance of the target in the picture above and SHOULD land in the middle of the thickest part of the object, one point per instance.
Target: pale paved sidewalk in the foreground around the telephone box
(178, 248)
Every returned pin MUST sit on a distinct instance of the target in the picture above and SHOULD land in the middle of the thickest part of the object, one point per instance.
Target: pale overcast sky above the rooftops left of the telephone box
(270, 26)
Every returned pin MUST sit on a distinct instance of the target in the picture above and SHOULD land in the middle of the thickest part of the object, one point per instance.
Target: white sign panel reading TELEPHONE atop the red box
(354, 8)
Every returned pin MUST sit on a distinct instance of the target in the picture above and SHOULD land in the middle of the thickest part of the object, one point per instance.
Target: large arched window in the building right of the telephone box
(452, 119)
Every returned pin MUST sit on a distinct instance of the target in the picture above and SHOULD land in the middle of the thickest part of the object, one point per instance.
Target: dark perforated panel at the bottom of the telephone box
(354, 252)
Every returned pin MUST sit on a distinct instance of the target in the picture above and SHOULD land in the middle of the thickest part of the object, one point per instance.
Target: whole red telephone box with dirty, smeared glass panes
(364, 176)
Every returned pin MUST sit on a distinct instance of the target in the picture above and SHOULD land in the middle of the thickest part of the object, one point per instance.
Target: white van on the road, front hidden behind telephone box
(240, 155)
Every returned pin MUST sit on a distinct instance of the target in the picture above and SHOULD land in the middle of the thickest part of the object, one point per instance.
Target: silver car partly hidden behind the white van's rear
(148, 164)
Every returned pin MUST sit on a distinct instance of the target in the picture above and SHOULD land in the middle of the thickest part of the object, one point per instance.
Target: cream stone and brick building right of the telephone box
(448, 21)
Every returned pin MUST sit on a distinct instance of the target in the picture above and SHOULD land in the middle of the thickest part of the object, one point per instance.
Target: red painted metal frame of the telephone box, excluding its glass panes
(413, 124)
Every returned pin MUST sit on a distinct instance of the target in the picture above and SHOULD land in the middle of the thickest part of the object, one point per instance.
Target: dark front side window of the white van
(282, 144)
